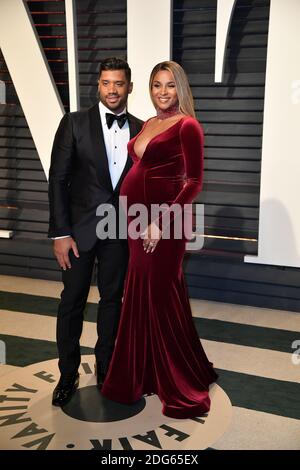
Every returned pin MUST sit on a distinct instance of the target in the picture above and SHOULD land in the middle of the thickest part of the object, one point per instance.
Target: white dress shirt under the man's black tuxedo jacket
(115, 140)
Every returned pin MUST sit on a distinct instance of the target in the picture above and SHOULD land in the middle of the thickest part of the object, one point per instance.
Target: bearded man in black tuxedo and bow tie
(88, 164)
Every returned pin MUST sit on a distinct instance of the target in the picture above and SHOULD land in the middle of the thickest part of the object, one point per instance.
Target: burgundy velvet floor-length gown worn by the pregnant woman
(157, 348)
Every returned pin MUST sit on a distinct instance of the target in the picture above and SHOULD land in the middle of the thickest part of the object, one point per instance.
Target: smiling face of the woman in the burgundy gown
(163, 91)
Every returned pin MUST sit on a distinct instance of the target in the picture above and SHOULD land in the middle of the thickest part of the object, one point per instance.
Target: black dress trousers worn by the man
(112, 256)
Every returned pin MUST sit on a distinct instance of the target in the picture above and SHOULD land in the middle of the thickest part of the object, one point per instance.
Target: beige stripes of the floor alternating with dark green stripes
(249, 429)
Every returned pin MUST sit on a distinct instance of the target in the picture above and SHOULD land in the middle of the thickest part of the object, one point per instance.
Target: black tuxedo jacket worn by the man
(79, 178)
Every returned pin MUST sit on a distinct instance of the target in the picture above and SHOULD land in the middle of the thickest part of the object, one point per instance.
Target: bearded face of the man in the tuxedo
(113, 89)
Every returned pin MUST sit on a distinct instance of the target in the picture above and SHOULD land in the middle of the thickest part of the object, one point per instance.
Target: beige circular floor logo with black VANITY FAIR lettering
(90, 421)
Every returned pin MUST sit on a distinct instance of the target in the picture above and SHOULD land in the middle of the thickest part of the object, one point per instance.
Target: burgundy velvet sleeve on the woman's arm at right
(192, 139)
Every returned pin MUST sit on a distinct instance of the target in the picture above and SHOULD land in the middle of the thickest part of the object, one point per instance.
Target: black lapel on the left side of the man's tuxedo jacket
(99, 150)
